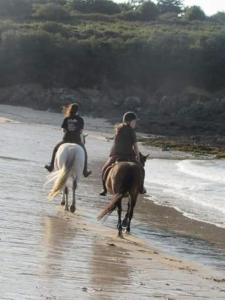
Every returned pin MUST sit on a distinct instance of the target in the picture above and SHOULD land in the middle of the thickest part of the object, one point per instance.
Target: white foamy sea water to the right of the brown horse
(194, 187)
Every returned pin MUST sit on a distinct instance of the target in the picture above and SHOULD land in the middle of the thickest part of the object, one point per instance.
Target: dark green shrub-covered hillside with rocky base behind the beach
(170, 69)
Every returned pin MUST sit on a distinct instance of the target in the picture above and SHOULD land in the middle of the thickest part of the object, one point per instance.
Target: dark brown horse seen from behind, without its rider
(124, 180)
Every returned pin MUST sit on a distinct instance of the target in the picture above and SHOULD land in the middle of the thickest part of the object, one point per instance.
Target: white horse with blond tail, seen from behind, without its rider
(68, 168)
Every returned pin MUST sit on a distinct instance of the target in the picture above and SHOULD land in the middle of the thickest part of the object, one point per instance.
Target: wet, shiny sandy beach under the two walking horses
(48, 253)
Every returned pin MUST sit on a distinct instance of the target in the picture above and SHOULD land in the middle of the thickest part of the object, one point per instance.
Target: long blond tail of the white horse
(60, 177)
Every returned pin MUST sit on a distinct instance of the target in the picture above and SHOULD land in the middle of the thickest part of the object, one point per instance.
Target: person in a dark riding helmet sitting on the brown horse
(124, 148)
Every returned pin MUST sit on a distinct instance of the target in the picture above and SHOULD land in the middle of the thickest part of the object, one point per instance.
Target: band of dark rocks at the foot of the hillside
(188, 112)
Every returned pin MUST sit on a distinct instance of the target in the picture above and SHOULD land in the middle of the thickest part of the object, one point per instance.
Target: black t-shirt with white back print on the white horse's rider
(73, 127)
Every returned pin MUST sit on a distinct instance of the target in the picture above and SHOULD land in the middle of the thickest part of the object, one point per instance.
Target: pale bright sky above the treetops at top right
(210, 7)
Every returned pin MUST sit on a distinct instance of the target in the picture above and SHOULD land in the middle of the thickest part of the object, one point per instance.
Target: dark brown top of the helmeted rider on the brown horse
(124, 141)
